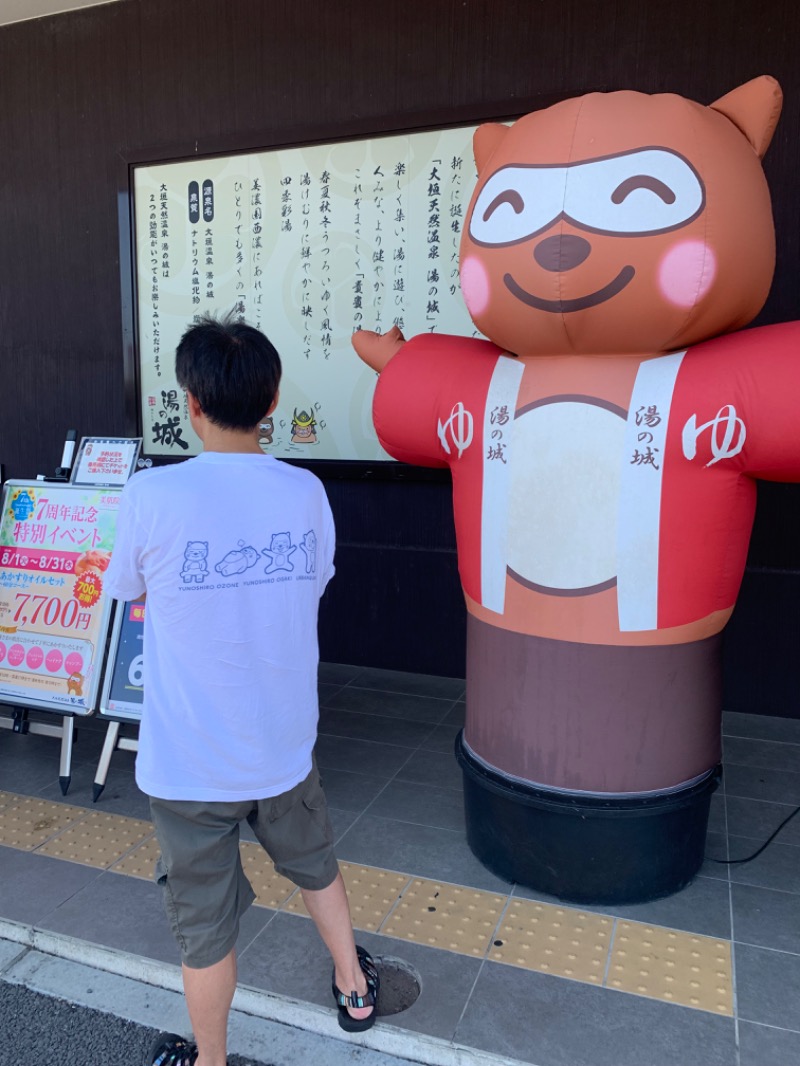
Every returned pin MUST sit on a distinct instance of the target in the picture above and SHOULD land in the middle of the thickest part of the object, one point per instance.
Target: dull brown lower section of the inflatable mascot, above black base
(594, 718)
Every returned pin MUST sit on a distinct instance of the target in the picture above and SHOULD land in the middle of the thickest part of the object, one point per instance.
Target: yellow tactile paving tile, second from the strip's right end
(553, 940)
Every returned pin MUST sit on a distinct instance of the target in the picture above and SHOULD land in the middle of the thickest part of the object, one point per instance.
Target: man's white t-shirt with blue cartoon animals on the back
(234, 552)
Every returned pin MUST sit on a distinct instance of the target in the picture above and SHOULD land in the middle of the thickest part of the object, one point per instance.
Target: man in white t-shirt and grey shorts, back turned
(234, 551)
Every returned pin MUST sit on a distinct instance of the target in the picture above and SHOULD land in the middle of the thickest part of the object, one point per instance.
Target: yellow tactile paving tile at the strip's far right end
(674, 966)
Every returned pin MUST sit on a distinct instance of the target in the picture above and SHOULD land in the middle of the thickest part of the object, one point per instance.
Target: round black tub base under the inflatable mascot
(586, 849)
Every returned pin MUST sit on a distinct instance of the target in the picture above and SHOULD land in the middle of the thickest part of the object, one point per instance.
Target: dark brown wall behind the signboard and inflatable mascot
(81, 91)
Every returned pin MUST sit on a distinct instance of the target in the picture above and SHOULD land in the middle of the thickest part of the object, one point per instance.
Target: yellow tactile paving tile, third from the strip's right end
(446, 916)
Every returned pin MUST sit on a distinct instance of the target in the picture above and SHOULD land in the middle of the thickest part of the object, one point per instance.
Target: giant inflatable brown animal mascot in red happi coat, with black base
(604, 445)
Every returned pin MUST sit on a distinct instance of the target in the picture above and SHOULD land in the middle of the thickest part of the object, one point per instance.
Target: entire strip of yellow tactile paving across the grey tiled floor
(643, 960)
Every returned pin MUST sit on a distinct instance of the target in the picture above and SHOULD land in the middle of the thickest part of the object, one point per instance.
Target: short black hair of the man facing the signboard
(231, 368)
